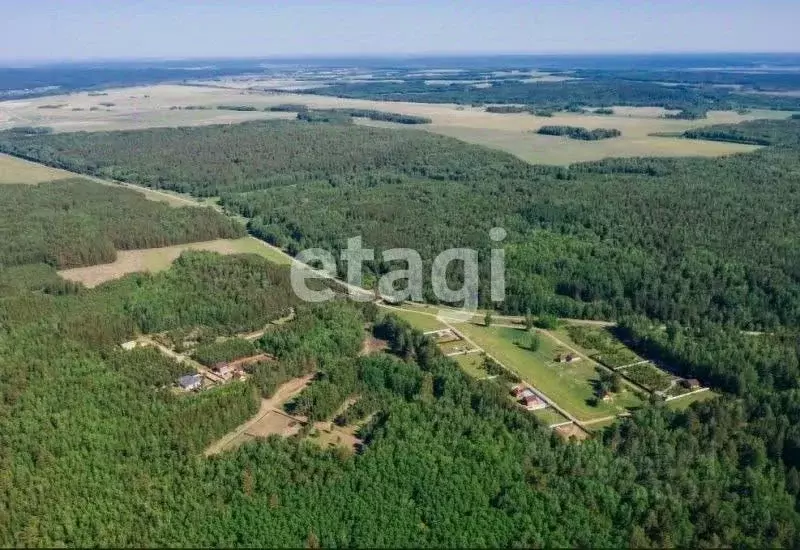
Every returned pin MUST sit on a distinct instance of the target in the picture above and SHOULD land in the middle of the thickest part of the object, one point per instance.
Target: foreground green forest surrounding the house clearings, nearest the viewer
(94, 451)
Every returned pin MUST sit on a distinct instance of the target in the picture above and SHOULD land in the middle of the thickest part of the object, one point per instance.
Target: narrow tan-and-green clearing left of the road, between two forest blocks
(158, 259)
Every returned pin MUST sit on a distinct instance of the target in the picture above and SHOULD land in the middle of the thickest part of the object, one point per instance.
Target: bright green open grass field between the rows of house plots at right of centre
(571, 386)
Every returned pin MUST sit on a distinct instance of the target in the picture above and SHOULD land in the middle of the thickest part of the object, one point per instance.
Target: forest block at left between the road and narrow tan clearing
(77, 222)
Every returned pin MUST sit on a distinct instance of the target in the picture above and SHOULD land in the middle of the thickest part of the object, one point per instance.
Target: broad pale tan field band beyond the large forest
(149, 106)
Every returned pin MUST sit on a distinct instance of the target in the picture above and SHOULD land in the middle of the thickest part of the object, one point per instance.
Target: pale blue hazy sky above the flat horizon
(113, 29)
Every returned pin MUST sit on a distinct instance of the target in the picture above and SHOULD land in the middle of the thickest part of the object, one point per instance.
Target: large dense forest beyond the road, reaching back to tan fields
(674, 239)
